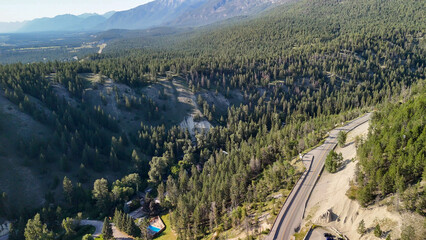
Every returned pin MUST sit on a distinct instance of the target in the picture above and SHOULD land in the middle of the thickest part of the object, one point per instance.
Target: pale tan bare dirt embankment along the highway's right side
(330, 194)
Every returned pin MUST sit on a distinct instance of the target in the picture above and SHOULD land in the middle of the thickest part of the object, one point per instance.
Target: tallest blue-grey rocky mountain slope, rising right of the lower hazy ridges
(185, 12)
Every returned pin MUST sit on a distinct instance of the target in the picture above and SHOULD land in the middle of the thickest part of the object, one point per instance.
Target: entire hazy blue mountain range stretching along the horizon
(153, 14)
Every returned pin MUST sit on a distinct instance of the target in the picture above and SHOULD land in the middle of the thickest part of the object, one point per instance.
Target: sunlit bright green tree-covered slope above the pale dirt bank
(392, 159)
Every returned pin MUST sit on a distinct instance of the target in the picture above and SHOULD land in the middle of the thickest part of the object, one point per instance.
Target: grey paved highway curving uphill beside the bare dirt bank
(290, 217)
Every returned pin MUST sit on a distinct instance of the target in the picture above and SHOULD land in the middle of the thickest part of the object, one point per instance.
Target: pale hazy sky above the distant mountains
(19, 10)
